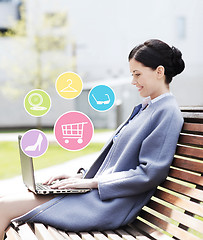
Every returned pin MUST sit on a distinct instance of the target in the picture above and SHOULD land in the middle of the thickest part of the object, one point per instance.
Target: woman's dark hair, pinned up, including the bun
(154, 53)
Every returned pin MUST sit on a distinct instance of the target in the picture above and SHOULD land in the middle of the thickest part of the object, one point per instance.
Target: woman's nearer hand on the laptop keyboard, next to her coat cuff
(76, 183)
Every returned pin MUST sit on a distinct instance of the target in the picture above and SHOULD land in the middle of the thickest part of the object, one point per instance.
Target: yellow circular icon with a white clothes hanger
(69, 85)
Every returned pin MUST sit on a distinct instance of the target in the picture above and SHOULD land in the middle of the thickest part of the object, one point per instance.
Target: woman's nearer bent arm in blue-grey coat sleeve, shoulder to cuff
(155, 157)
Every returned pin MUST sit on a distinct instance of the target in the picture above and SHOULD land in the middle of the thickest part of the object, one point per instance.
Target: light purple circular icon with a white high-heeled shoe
(34, 143)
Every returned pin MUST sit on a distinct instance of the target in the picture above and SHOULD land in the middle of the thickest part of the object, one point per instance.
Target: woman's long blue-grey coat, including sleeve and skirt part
(128, 171)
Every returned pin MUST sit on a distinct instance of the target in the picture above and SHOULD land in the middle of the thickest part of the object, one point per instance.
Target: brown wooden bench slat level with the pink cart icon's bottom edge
(189, 152)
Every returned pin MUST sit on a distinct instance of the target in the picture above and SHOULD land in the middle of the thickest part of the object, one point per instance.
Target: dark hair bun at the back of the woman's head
(177, 61)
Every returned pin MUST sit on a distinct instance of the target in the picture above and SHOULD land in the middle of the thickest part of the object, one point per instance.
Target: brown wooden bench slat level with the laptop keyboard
(191, 192)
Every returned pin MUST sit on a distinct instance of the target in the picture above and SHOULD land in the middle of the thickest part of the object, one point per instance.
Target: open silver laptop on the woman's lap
(29, 178)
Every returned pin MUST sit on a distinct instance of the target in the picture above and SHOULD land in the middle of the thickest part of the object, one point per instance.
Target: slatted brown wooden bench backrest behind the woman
(176, 209)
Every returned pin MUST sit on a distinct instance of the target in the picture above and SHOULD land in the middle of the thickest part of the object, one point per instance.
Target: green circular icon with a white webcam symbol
(37, 102)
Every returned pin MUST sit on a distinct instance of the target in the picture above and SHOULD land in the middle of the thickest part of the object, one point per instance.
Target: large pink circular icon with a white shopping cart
(73, 130)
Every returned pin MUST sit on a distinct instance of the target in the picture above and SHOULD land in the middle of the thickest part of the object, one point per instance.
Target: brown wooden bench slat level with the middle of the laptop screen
(188, 165)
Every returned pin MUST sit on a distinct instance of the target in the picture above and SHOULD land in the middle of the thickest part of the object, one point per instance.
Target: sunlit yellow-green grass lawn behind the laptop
(10, 162)
